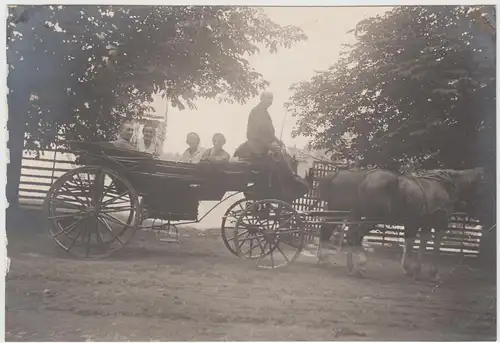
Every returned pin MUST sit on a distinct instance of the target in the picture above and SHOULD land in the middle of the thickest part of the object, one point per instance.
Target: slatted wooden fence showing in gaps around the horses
(463, 235)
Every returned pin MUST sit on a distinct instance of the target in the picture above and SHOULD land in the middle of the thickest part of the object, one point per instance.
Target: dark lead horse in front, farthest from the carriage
(427, 200)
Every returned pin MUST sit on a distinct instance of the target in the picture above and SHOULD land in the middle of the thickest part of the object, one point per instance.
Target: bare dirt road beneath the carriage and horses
(197, 290)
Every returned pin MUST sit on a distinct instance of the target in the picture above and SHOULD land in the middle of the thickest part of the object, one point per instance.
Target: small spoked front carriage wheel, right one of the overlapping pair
(270, 231)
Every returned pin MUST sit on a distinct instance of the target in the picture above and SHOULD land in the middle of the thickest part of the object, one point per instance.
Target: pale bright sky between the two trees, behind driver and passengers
(326, 28)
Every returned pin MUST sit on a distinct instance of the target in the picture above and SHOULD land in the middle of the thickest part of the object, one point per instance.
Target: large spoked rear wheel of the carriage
(92, 211)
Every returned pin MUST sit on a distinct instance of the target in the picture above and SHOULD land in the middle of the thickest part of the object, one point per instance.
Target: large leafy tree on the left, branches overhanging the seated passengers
(75, 71)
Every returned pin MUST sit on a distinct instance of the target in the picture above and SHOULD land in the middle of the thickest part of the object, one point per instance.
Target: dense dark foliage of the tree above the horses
(416, 88)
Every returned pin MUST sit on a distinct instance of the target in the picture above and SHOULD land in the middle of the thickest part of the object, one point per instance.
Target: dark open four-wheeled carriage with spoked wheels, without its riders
(96, 208)
